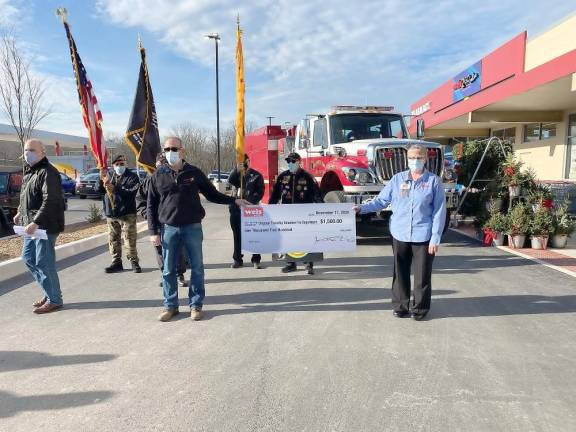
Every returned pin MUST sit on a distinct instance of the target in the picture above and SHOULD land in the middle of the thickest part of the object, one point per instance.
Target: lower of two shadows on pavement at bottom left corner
(11, 404)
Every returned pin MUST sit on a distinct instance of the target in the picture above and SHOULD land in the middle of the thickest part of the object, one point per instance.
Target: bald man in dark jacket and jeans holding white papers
(41, 207)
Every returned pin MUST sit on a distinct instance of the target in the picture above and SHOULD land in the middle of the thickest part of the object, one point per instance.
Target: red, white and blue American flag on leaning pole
(90, 111)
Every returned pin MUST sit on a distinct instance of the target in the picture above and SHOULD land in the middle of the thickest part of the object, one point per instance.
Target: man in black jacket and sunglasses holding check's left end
(174, 209)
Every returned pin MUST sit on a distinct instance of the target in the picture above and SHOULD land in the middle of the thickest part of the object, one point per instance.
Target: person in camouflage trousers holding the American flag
(119, 192)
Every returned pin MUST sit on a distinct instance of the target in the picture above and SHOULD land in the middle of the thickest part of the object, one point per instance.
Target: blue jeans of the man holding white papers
(40, 258)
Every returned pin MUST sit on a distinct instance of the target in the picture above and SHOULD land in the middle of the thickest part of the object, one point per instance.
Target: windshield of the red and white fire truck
(357, 126)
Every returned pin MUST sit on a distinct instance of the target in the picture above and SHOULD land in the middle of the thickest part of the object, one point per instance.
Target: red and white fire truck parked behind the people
(352, 151)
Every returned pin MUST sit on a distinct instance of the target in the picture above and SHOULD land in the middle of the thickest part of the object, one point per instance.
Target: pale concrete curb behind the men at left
(15, 266)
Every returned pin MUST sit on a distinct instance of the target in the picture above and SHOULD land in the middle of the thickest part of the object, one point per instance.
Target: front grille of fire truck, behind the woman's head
(392, 160)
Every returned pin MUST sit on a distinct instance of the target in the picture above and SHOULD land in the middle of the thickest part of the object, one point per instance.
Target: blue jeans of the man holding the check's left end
(173, 238)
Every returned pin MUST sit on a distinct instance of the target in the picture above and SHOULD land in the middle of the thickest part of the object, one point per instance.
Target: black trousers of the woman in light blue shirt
(406, 254)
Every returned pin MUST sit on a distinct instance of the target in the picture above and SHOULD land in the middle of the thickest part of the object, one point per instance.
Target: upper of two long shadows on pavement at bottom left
(20, 360)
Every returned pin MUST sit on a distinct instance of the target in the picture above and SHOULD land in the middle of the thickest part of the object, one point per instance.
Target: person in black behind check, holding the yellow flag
(252, 187)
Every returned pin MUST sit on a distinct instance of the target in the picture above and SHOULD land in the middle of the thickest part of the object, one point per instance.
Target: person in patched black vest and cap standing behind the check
(295, 186)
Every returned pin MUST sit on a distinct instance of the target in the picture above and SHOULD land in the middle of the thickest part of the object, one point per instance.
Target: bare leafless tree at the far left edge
(21, 93)
